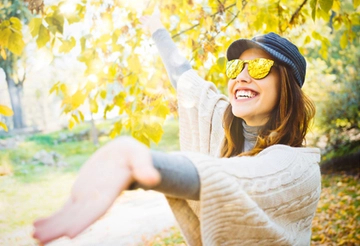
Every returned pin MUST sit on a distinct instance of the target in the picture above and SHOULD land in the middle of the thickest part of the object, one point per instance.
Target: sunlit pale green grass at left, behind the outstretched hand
(34, 190)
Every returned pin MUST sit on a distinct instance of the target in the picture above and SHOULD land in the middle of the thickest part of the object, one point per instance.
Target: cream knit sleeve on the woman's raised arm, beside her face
(201, 108)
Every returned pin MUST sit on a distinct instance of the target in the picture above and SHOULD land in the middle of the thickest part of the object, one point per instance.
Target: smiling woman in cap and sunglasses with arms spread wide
(243, 176)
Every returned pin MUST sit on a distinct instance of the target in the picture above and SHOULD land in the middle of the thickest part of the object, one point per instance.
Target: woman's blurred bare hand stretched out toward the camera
(108, 172)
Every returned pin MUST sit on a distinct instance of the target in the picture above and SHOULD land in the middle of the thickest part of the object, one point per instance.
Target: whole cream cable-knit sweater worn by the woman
(267, 199)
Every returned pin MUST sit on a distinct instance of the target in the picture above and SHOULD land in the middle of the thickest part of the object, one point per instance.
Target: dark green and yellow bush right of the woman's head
(334, 85)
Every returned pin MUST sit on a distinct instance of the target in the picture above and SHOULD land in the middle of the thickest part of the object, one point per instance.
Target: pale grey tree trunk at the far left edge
(15, 92)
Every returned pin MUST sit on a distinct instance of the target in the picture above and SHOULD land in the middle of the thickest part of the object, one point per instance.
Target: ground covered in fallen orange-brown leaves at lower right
(337, 219)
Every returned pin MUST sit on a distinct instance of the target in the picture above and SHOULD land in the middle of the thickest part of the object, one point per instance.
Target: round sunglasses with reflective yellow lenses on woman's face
(258, 68)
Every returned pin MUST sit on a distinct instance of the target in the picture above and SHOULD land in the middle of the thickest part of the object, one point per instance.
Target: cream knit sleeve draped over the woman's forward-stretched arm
(268, 199)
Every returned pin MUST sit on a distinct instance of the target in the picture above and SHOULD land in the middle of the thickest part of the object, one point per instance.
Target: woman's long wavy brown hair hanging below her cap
(288, 122)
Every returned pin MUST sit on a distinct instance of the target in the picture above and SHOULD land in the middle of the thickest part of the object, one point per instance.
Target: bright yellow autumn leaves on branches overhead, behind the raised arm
(122, 78)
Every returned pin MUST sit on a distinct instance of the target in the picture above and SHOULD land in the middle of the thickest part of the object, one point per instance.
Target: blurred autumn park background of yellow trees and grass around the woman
(74, 74)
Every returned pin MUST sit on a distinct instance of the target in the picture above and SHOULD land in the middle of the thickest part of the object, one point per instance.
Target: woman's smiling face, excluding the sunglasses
(253, 99)
